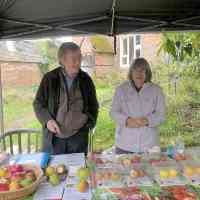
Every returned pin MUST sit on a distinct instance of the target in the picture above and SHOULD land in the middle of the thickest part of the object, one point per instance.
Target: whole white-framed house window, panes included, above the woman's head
(130, 48)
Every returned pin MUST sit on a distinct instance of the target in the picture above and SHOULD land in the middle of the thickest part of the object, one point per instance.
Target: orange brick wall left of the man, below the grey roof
(20, 74)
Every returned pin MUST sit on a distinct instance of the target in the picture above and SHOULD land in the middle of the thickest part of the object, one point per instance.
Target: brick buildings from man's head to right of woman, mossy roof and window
(99, 57)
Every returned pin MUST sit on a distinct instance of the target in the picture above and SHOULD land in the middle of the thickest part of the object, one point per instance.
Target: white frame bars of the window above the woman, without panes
(136, 47)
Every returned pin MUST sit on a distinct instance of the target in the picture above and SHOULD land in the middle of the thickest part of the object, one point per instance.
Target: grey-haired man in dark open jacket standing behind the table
(66, 104)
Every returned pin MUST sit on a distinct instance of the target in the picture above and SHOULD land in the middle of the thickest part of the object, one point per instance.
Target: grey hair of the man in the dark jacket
(66, 46)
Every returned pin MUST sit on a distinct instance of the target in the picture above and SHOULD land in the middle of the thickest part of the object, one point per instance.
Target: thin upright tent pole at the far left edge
(1, 110)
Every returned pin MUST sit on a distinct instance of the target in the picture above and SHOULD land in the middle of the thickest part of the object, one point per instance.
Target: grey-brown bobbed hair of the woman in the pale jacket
(140, 63)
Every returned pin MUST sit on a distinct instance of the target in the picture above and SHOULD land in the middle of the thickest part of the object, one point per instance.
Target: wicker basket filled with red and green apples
(19, 181)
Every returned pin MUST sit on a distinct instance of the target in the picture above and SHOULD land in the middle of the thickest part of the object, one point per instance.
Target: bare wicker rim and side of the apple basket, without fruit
(20, 194)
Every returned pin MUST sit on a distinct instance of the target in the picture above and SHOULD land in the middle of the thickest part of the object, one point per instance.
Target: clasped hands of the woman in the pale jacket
(136, 122)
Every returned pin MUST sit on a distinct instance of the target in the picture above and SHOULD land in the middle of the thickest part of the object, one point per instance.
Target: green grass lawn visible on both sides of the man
(18, 113)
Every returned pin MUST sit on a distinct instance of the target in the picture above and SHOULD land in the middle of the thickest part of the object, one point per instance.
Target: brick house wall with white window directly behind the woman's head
(131, 46)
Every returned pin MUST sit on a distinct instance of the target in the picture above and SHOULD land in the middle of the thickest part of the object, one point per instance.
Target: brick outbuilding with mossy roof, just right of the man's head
(98, 53)
